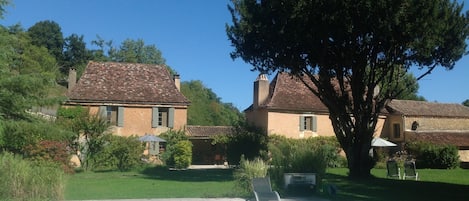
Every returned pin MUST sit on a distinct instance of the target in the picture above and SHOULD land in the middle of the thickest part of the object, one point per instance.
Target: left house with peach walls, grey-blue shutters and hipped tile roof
(135, 98)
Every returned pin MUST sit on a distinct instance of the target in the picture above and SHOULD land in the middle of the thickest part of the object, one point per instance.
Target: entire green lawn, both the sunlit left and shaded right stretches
(161, 183)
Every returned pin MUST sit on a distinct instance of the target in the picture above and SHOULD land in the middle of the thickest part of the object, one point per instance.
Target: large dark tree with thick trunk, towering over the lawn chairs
(344, 51)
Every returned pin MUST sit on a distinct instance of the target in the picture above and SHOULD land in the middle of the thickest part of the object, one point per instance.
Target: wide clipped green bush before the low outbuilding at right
(428, 155)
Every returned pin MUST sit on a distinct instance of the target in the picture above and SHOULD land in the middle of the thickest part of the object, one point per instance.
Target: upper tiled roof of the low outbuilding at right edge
(429, 109)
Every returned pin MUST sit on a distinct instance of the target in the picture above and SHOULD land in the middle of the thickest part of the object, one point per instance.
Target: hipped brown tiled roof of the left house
(111, 82)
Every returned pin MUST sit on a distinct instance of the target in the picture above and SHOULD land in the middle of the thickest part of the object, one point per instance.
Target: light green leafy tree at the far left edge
(27, 74)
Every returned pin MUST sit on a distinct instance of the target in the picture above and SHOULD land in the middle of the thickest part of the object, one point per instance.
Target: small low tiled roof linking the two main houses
(208, 131)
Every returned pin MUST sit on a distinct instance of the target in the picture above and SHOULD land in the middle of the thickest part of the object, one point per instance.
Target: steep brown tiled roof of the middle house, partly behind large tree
(289, 93)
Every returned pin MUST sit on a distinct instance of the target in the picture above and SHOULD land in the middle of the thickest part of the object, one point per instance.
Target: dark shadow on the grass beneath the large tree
(392, 189)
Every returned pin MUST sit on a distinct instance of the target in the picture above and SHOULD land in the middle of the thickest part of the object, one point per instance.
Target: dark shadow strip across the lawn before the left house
(163, 173)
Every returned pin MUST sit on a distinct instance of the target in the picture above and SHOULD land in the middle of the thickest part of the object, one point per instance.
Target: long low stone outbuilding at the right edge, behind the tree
(439, 123)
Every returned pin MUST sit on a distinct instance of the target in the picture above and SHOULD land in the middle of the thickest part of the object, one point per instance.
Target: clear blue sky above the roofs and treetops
(192, 38)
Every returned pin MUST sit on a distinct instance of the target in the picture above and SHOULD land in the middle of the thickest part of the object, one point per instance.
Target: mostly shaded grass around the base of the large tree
(432, 185)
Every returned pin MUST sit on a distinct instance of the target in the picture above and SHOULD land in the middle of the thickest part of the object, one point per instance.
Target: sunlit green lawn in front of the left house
(151, 183)
